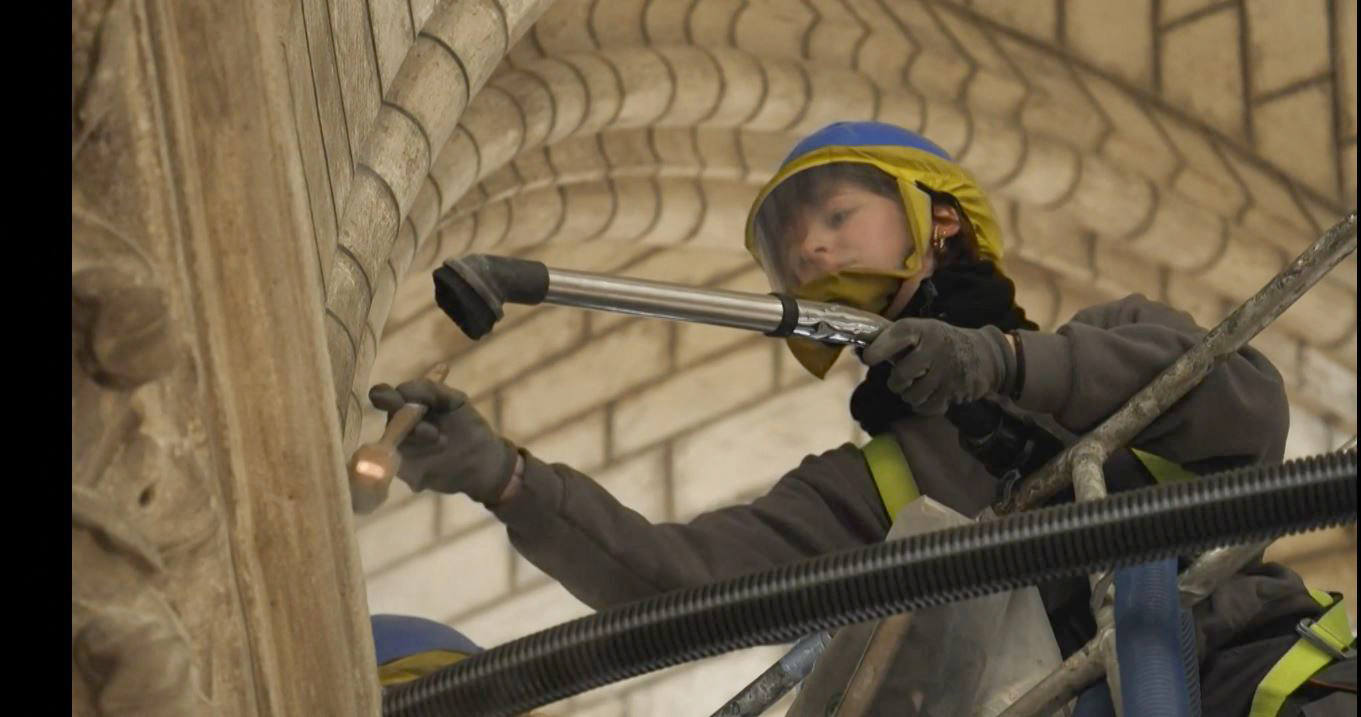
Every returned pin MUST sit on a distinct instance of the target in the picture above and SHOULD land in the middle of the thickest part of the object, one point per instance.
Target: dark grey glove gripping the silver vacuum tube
(937, 365)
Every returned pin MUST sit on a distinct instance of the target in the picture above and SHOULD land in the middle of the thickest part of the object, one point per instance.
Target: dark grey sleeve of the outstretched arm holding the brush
(606, 554)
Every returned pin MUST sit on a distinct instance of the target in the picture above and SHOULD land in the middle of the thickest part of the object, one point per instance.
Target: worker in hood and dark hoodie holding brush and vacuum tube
(880, 218)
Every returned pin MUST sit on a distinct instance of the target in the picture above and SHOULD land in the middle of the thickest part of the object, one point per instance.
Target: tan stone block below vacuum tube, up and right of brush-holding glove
(605, 368)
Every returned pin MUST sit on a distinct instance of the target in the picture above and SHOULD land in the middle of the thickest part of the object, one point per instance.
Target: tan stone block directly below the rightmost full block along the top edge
(1295, 133)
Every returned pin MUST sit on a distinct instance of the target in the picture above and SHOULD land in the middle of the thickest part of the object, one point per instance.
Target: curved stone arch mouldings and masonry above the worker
(1179, 149)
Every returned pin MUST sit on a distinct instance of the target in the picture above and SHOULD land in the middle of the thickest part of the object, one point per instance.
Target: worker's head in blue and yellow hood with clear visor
(862, 213)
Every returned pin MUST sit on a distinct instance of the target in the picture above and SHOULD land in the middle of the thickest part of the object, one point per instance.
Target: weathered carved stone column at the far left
(214, 565)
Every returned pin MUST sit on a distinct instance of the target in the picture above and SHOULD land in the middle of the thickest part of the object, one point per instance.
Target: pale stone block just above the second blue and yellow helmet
(436, 584)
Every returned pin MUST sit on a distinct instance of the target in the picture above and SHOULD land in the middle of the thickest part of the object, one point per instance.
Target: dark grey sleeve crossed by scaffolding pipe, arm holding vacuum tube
(1089, 368)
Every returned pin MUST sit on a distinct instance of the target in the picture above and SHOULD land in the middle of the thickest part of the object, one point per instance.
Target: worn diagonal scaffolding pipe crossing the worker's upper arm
(1187, 372)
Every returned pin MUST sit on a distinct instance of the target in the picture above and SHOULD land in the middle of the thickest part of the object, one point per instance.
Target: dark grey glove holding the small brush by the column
(453, 450)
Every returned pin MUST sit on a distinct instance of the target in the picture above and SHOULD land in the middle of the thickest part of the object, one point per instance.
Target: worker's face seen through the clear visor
(847, 228)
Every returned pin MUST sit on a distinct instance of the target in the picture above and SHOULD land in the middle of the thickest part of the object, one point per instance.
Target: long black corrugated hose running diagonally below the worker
(783, 605)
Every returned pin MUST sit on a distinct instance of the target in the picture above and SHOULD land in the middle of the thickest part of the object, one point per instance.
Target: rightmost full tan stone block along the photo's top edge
(1288, 43)
